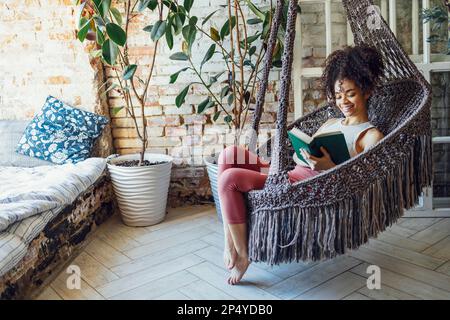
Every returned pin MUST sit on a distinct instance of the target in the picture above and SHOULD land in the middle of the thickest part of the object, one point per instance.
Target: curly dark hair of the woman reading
(362, 64)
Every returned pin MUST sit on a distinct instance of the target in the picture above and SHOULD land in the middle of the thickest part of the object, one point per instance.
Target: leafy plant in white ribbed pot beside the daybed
(140, 181)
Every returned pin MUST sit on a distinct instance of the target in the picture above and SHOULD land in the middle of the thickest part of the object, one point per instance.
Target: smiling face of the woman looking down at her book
(350, 99)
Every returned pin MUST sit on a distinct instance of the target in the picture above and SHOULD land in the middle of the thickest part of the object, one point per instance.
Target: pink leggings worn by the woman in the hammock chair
(241, 171)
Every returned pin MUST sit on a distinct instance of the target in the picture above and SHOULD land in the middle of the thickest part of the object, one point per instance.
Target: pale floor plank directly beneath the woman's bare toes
(217, 277)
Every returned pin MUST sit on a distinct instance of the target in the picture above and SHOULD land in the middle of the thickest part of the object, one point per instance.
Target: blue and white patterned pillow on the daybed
(60, 133)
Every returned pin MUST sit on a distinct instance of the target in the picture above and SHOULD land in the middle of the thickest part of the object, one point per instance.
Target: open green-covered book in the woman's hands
(333, 142)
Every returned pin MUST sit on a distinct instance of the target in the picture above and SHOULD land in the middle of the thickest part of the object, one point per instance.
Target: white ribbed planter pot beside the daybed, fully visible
(141, 191)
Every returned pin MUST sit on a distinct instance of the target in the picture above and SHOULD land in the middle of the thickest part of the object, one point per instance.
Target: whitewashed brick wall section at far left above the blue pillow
(40, 56)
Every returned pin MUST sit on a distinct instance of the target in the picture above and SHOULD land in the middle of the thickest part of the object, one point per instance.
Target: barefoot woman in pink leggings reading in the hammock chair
(349, 78)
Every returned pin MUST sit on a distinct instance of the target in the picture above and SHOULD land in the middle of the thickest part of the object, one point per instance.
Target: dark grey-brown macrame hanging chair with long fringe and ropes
(342, 208)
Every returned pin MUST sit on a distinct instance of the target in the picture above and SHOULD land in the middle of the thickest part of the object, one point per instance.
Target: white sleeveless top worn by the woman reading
(351, 134)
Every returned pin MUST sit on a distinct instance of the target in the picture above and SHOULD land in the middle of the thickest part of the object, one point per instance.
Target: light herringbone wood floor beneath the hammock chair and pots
(181, 258)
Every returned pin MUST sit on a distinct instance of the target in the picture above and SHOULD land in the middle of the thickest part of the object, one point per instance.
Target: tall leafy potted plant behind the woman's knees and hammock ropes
(241, 43)
